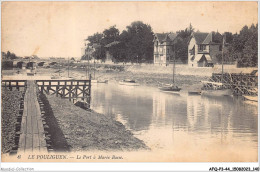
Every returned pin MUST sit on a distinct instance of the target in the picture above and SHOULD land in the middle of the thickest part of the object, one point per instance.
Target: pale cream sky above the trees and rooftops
(58, 29)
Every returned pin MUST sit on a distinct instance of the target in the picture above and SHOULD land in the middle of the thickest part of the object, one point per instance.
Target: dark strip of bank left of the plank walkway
(10, 111)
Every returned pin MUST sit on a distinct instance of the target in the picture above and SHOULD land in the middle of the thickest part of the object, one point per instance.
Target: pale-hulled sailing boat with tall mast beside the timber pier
(216, 88)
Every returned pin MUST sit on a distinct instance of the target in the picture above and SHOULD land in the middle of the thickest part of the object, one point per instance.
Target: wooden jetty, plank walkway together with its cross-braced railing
(30, 127)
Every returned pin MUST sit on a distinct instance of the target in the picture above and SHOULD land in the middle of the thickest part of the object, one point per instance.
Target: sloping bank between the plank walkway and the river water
(84, 130)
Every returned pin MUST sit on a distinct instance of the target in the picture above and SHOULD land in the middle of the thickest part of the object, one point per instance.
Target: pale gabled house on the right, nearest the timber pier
(203, 49)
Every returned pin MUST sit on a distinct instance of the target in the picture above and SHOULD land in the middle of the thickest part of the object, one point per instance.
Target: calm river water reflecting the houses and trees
(183, 124)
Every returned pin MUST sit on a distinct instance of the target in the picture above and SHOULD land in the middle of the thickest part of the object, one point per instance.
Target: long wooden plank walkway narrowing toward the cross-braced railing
(32, 131)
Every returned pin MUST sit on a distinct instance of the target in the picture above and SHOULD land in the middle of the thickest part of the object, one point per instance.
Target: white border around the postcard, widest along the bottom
(128, 166)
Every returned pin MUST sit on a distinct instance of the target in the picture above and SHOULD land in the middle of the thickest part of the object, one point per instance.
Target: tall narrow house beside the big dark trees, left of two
(163, 48)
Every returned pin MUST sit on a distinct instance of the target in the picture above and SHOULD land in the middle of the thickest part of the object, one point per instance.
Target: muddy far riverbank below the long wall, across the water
(151, 79)
